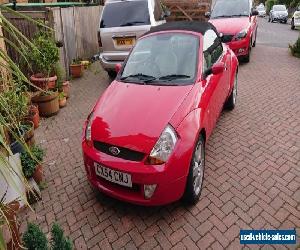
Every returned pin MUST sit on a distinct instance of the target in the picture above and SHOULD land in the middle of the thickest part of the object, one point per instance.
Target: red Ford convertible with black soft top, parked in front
(144, 141)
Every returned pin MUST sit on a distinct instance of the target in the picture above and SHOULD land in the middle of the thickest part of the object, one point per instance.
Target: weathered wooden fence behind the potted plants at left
(76, 27)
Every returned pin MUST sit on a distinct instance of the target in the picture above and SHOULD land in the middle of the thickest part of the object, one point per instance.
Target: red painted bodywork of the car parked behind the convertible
(232, 26)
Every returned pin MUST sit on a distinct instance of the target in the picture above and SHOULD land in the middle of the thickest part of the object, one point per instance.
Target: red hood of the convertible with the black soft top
(133, 116)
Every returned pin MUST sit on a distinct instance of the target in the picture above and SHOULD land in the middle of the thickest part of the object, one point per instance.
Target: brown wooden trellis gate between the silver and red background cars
(192, 10)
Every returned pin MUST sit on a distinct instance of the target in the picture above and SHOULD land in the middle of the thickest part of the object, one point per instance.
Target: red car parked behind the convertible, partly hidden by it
(236, 20)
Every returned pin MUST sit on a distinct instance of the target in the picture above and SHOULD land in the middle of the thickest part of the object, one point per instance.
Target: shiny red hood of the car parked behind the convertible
(231, 25)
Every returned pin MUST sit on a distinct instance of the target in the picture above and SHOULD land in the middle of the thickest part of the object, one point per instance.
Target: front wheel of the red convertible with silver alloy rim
(196, 173)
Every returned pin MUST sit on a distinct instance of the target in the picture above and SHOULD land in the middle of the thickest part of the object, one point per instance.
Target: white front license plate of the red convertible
(114, 176)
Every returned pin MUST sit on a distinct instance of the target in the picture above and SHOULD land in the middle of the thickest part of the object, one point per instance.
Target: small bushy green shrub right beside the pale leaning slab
(31, 160)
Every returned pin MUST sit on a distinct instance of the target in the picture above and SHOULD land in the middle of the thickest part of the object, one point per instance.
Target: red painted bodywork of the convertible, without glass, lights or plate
(134, 116)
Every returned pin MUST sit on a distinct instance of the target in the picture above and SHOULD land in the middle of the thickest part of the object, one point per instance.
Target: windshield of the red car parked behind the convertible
(230, 8)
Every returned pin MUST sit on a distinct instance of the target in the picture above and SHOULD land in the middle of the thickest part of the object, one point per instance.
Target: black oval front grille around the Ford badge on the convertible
(125, 153)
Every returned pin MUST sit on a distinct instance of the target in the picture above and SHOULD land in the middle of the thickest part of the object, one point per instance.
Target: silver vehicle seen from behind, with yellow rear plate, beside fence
(122, 22)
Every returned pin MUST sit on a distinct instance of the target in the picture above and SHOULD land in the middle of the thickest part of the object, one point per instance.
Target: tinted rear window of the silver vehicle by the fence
(126, 13)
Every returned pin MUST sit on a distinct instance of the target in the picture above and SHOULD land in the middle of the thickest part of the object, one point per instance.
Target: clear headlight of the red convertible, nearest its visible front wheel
(163, 147)
